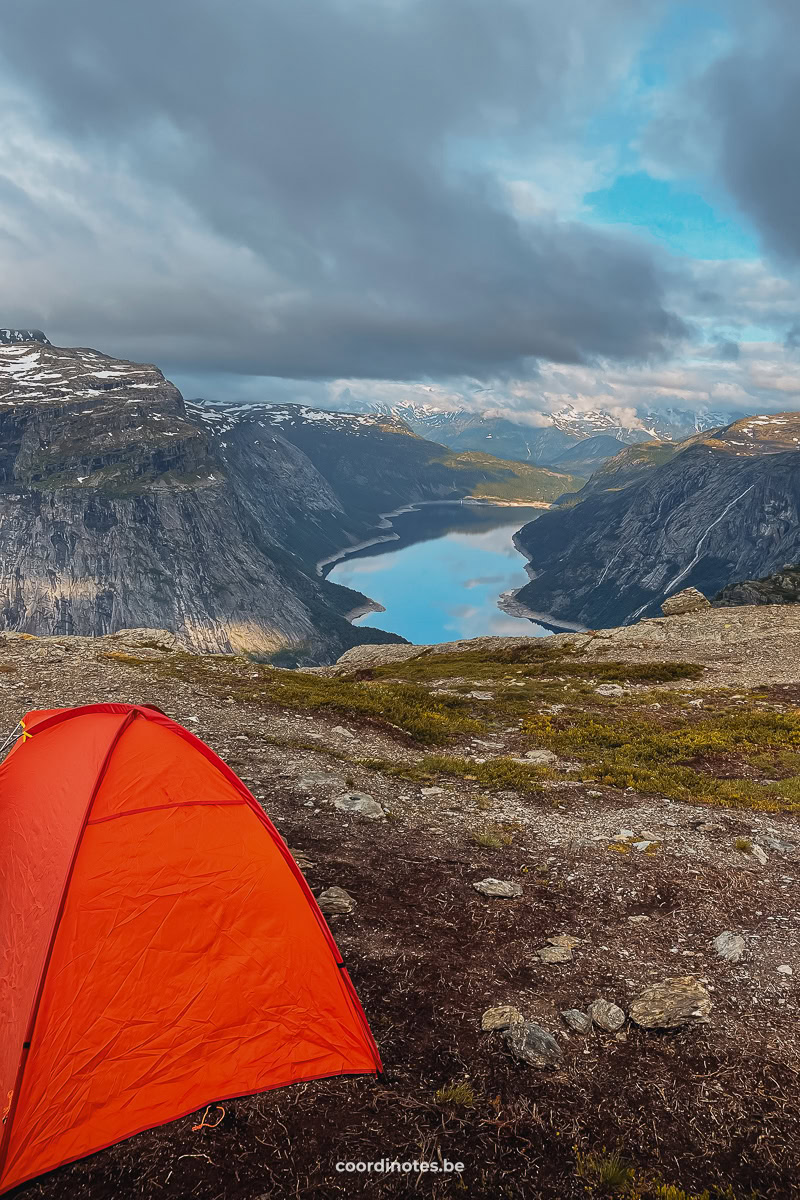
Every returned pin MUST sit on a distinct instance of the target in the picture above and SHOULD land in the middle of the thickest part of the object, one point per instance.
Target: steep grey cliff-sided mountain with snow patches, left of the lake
(123, 507)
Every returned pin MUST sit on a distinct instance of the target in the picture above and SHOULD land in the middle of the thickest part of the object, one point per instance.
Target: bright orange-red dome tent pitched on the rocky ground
(160, 949)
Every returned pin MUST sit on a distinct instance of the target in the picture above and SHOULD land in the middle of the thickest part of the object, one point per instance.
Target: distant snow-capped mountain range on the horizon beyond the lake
(550, 443)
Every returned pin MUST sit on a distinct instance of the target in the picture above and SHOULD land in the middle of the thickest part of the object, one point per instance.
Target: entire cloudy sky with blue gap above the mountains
(509, 205)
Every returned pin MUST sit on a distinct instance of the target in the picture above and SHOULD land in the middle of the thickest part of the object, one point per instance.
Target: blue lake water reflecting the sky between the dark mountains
(441, 579)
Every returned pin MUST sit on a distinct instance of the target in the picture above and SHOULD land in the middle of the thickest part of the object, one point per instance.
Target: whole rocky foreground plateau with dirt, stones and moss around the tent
(406, 779)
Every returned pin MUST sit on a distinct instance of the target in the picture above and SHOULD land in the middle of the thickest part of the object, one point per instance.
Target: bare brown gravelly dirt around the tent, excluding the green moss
(712, 1107)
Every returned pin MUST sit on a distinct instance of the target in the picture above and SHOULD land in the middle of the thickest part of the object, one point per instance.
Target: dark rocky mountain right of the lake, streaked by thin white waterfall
(712, 511)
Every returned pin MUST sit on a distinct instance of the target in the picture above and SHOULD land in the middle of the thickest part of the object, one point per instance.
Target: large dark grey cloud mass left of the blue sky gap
(309, 189)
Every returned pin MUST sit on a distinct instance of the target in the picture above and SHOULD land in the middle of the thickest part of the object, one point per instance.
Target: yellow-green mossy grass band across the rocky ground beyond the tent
(715, 755)
